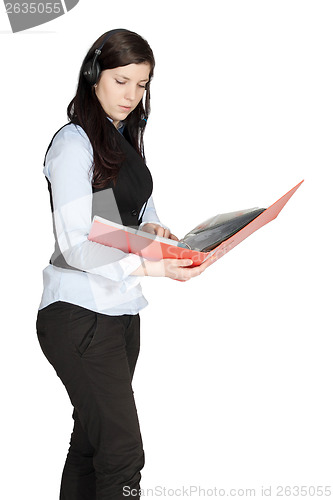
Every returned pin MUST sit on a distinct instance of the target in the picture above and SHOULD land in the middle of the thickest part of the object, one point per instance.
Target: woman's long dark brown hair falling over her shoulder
(122, 48)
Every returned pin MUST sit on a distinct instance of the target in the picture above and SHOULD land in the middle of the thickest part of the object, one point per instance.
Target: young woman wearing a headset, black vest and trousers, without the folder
(88, 322)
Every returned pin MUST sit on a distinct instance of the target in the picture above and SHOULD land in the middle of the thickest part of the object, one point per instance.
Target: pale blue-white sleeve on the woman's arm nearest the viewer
(68, 168)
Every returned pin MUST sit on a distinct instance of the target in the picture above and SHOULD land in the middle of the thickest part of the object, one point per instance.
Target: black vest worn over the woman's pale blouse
(120, 202)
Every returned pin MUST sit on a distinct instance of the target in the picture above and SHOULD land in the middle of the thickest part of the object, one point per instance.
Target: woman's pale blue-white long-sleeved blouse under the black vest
(106, 285)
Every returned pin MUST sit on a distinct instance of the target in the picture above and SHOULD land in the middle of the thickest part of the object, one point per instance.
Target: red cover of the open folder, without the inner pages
(154, 247)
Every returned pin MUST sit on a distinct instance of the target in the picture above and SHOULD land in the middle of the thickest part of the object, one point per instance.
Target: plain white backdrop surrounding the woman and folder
(234, 381)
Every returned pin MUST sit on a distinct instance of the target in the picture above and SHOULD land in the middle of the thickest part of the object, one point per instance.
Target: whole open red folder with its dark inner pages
(217, 235)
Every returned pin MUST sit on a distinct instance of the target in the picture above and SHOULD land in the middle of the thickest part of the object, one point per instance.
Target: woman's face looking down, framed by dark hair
(119, 90)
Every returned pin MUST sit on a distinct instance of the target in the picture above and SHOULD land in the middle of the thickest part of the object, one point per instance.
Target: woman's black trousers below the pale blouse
(95, 356)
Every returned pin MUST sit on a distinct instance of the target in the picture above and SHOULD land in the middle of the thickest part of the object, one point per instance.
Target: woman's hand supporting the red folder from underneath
(177, 269)
